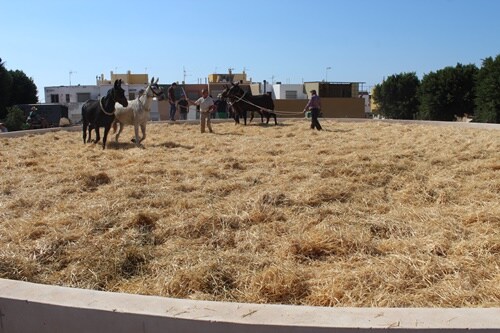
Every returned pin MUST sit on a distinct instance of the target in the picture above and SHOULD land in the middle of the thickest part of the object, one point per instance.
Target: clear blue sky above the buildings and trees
(289, 41)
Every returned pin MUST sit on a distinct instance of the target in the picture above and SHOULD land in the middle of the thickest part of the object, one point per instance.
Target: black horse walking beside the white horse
(101, 113)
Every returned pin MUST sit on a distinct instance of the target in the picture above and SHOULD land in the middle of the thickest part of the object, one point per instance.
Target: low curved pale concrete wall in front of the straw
(29, 307)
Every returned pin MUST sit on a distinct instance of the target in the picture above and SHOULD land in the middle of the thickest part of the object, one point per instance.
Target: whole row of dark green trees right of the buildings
(463, 90)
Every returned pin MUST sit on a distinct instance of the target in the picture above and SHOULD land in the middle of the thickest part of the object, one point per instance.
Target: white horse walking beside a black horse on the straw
(137, 112)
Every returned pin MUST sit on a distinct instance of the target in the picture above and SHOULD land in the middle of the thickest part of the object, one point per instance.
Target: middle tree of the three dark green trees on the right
(447, 93)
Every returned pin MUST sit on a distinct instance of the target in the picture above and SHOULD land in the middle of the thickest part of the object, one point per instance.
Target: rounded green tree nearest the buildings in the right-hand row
(397, 96)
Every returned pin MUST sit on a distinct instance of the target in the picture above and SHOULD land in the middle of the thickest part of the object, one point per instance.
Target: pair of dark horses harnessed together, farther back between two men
(242, 102)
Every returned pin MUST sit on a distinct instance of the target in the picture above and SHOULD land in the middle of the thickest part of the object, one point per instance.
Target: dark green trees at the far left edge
(15, 88)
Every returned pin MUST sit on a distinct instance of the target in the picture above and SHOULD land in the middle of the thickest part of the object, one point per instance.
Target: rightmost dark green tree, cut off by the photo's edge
(488, 91)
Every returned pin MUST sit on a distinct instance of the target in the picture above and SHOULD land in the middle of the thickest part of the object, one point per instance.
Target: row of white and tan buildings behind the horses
(340, 99)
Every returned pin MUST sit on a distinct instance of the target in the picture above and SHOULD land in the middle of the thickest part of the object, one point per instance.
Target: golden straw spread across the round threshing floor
(362, 214)
